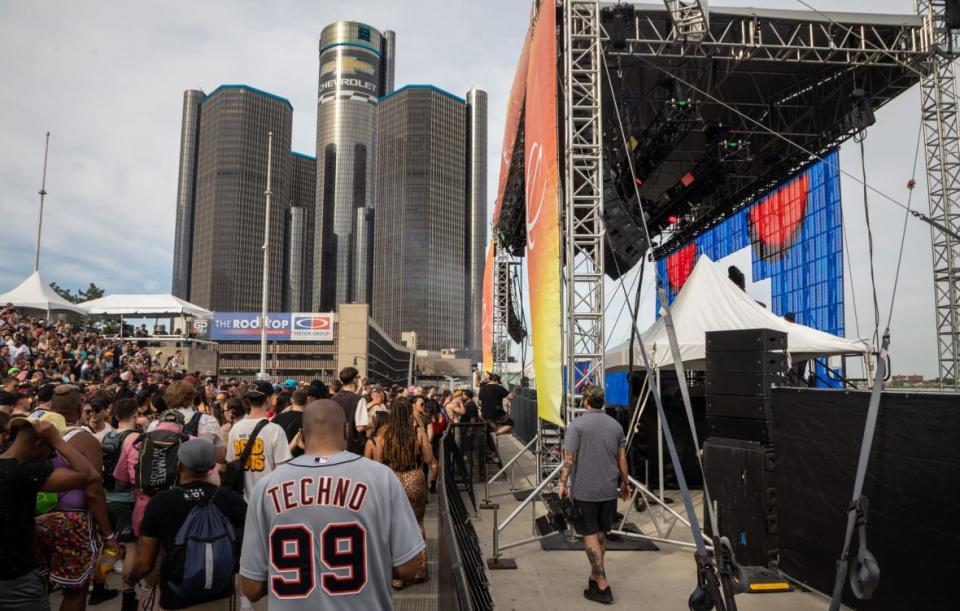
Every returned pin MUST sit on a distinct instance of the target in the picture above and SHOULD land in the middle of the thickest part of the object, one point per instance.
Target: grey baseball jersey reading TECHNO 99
(327, 532)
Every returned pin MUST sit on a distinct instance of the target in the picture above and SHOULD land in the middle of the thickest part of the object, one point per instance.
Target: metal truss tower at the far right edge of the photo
(938, 100)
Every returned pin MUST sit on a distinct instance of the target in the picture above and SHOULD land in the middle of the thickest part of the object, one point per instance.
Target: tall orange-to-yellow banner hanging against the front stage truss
(543, 214)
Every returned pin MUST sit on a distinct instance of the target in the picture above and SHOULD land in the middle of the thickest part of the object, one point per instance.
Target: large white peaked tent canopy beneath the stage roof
(709, 301)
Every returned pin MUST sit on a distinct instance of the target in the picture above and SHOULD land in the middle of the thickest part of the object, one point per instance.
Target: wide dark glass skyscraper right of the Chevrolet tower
(429, 197)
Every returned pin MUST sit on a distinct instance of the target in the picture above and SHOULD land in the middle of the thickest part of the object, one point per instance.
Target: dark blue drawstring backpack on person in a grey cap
(204, 556)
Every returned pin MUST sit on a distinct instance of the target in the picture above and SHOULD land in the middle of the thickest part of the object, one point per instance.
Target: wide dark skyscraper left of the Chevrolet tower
(227, 230)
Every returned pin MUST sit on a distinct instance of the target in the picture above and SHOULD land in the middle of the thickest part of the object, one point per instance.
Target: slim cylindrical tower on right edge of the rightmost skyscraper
(476, 211)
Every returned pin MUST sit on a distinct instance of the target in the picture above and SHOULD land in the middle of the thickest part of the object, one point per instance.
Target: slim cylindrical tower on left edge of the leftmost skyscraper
(186, 190)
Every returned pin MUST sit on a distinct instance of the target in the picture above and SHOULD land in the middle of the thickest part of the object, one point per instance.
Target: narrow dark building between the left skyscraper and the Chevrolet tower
(300, 227)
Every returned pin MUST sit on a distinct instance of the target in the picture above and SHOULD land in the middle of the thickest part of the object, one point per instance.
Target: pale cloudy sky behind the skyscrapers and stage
(106, 78)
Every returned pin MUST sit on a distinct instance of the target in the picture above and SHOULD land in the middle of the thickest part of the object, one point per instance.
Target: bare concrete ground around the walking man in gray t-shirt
(554, 580)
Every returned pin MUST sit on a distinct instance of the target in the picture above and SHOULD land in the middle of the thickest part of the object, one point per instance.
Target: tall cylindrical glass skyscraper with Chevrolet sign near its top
(356, 67)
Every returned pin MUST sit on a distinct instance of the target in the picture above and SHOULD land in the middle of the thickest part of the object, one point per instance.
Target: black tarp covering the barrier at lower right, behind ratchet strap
(912, 483)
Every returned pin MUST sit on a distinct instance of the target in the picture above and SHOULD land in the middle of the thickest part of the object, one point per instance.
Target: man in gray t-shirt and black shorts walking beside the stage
(594, 451)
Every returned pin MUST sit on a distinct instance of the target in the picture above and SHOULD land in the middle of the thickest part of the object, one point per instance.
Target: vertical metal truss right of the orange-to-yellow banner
(582, 210)
